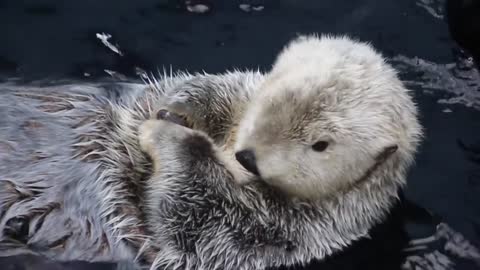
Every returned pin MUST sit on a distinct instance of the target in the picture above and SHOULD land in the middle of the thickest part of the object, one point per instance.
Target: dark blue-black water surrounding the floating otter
(57, 39)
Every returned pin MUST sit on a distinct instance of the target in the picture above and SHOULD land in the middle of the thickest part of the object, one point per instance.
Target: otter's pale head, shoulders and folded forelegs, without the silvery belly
(327, 137)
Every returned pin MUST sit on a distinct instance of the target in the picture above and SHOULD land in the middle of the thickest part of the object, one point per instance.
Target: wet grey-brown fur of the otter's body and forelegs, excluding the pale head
(75, 185)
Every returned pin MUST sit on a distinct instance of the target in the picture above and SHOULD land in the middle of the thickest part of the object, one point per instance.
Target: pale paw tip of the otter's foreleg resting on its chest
(154, 134)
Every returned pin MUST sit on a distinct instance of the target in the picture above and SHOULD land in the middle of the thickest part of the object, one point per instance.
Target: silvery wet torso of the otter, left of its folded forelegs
(71, 171)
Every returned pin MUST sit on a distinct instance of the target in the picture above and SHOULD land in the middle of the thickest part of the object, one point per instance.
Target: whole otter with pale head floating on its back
(324, 142)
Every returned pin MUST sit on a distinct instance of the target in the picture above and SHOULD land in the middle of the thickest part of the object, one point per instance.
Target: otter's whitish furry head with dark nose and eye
(327, 110)
